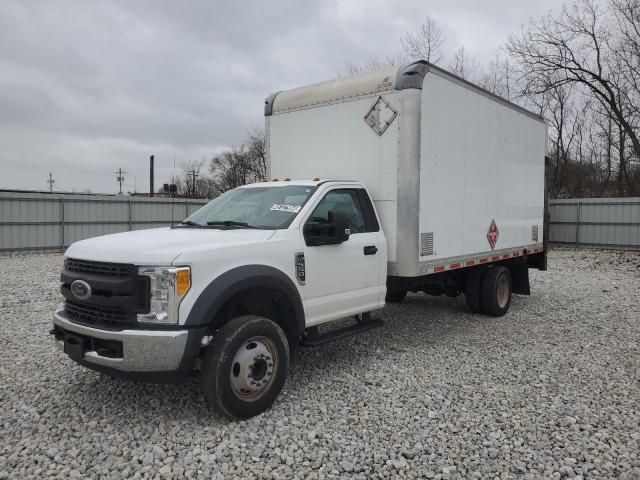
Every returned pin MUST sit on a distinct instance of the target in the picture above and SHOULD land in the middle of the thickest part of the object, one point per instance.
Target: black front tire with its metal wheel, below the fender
(245, 367)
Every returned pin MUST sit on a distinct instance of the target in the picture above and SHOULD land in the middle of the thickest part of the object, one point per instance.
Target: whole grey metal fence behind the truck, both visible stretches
(40, 221)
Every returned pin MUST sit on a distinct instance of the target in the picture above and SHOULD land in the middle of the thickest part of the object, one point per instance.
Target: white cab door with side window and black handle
(343, 279)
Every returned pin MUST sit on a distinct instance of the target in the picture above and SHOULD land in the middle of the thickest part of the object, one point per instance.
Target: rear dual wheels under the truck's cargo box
(488, 290)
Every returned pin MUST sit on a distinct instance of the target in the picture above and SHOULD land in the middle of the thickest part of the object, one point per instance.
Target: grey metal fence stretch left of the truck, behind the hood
(40, 221)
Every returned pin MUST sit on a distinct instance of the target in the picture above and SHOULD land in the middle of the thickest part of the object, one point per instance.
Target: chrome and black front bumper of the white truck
(158, 356)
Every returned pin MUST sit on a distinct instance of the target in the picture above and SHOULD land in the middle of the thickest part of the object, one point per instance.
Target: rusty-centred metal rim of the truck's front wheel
(253, 368)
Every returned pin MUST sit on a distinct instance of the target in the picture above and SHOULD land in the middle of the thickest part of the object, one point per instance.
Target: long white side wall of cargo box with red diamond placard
(481, 161)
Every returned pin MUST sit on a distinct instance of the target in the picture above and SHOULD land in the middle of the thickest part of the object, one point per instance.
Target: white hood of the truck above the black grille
(160, 246)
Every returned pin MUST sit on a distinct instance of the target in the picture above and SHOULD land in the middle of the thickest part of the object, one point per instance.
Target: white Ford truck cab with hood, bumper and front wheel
(230, 290)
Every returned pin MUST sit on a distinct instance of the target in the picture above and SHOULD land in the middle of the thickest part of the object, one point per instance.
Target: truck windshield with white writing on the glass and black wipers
(255, 207)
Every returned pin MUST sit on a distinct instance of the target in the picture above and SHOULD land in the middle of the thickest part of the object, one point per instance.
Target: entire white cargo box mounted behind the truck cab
(456, 173)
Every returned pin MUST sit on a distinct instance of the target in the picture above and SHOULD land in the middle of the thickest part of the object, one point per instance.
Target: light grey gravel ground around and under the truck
(552, 390)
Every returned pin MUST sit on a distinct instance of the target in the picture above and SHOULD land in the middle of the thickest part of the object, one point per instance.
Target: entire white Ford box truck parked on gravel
(416, 181)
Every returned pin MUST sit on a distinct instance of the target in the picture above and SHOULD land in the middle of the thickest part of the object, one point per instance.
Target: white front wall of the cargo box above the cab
(334, 142)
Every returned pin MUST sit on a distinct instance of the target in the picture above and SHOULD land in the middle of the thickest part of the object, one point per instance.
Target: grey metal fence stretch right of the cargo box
(596, 222)
